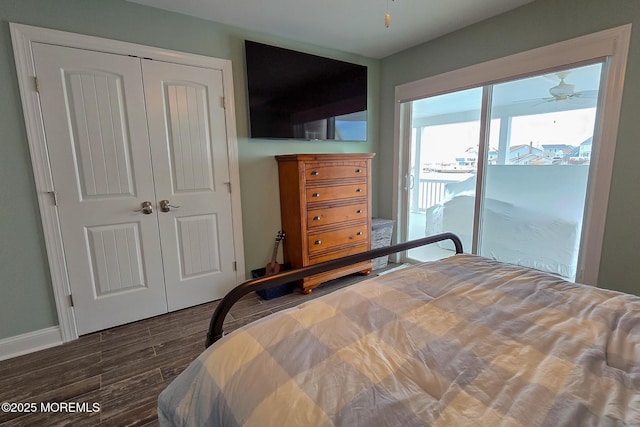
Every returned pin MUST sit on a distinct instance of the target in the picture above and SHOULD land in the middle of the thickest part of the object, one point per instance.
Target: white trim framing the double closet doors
(22, 37)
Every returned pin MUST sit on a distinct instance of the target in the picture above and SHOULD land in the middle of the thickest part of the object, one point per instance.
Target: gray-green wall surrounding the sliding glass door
(538, 24)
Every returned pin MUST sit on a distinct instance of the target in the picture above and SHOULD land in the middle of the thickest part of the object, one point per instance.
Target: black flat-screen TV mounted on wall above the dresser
(295, 95)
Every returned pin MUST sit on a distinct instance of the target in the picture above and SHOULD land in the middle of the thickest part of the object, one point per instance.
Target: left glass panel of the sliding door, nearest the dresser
(445, 132)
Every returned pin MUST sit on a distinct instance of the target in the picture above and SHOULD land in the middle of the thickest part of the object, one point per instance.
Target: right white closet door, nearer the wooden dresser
(185, 108)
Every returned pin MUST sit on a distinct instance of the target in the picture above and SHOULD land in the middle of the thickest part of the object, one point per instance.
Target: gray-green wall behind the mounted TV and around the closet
(26, 297)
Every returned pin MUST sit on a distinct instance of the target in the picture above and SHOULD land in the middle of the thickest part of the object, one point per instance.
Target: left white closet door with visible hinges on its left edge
(96, 130)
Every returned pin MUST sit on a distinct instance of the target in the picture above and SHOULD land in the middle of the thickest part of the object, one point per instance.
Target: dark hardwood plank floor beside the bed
(125, 368)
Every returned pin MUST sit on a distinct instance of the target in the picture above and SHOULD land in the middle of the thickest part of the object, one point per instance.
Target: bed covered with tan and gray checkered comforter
(461, 341)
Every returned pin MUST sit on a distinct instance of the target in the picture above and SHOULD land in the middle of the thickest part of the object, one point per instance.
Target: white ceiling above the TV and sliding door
(355, 26)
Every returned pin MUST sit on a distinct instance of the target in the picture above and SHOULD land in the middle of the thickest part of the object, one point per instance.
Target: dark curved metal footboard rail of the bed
(217, 320)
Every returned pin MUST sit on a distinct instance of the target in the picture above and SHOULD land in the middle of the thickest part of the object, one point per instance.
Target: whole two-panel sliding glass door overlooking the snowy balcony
(505, 166)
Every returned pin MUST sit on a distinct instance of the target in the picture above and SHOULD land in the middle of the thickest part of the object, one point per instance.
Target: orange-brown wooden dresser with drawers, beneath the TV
(325, 201)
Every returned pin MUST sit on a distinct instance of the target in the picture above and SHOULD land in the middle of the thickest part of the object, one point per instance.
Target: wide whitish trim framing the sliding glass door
(612, 46)
